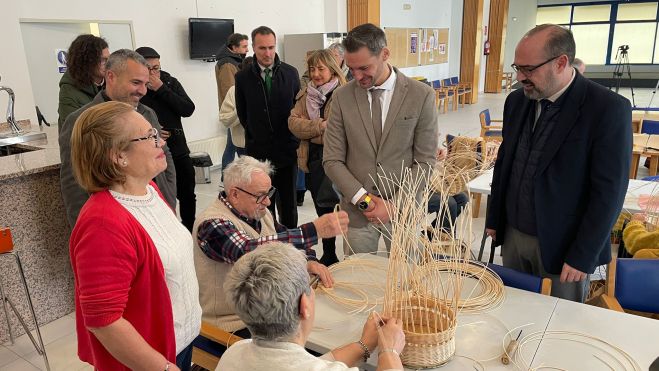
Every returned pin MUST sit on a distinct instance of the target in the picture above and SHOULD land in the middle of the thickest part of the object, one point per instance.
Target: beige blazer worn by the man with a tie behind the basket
(351, 157)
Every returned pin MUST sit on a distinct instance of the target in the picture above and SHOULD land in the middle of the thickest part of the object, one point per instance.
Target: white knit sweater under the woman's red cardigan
(174, 244)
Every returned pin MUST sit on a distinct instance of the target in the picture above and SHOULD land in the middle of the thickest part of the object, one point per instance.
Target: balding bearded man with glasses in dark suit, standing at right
(561, 175)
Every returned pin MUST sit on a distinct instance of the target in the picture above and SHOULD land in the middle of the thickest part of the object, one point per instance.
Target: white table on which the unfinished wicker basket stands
(478, 336)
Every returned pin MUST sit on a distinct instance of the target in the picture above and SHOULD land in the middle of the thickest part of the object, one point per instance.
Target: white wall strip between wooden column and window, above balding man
(521, 18)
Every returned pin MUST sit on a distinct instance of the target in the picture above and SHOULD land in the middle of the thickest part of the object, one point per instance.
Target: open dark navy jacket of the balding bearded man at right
(581, 179)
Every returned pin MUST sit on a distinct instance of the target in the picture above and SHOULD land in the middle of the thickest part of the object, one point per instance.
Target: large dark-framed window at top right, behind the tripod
(600, 28)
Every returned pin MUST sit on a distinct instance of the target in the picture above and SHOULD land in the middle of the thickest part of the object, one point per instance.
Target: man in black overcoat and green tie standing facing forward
(265, 95)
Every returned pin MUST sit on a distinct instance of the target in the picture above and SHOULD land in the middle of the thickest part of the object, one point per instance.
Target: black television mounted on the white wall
(207, 35)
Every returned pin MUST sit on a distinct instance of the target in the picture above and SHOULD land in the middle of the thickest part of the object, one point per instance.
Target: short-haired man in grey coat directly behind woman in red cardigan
(126, 78)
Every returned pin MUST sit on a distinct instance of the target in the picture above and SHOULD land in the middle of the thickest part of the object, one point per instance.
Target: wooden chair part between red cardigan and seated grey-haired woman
(210, 345)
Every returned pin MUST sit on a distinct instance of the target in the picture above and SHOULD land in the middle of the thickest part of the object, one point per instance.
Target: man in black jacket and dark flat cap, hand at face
(166, 96)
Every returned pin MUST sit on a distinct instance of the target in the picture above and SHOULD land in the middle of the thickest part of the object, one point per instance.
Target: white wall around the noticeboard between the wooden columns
(424, 14)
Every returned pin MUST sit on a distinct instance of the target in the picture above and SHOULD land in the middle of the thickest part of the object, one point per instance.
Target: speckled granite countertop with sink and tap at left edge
(26, 163)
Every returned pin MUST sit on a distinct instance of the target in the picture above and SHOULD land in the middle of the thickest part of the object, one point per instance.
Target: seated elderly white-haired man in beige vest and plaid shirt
(238, 222)
